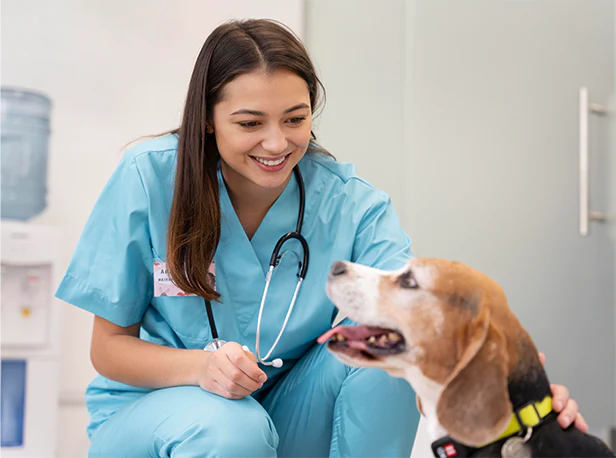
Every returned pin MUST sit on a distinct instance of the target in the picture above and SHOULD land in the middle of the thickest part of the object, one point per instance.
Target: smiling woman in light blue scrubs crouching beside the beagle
(204, 206)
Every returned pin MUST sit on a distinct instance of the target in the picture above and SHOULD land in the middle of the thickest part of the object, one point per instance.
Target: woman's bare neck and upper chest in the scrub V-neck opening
(250, 201)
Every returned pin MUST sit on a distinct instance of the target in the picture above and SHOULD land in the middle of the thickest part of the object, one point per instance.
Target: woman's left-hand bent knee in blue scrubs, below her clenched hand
(187, 422)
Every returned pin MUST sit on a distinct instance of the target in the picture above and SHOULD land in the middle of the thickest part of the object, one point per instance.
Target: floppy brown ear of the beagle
(474, 406)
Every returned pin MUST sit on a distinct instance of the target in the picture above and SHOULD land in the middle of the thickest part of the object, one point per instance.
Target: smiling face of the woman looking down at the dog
(262, 126)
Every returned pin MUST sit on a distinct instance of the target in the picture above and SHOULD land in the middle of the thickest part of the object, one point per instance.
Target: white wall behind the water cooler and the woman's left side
(115, 70)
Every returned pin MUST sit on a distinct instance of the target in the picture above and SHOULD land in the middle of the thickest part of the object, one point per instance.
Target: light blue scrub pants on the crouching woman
(320, 408)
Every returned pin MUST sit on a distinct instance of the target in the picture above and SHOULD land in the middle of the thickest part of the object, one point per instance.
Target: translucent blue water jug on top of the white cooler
(24, 145)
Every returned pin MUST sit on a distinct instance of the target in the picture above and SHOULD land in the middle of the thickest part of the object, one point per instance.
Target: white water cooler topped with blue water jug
(29, 314)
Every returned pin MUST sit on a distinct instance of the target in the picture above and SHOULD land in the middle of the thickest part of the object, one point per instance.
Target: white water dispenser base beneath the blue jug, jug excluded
(29, 348)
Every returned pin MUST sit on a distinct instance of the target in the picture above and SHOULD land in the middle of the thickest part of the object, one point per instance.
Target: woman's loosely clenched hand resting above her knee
(231, 372)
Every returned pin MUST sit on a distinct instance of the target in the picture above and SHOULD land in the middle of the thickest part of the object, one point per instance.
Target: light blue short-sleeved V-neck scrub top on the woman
(111, 271)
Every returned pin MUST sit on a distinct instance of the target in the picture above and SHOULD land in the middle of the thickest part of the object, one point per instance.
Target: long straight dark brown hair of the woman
(232, 49)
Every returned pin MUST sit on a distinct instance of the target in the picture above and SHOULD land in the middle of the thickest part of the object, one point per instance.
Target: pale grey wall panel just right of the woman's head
(358, 47)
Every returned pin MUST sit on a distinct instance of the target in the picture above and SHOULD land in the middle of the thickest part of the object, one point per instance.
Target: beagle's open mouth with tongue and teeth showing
(364, 341)
